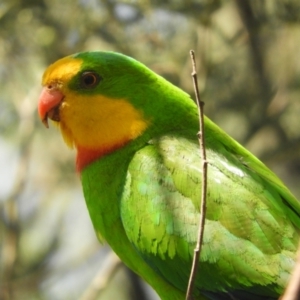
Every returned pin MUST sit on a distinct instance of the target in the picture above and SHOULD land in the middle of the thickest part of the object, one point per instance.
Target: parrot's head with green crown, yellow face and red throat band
(103, 100)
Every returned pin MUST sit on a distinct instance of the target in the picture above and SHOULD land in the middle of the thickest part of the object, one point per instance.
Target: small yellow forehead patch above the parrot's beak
(62, 70)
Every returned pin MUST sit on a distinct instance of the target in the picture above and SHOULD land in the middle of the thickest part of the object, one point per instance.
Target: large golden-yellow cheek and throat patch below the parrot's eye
(100, 123)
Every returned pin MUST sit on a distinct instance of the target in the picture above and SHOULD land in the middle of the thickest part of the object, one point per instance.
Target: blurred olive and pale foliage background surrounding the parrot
(249, 75)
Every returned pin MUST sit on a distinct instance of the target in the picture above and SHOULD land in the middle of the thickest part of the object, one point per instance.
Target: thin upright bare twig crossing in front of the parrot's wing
(198, 246)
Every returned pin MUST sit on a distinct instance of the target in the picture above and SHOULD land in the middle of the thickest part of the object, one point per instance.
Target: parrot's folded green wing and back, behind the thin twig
(251, 231)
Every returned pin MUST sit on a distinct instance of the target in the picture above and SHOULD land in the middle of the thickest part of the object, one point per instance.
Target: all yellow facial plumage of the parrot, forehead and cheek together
(92, 121)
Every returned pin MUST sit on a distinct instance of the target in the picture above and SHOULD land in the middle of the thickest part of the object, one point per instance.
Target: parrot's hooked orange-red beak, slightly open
(49, 102)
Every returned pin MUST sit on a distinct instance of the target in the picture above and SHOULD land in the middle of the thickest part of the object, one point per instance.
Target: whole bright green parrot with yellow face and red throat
(138, 156)
